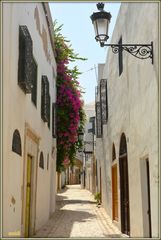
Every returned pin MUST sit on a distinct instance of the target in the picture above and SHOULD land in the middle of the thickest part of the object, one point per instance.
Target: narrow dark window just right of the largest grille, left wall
(34, 83)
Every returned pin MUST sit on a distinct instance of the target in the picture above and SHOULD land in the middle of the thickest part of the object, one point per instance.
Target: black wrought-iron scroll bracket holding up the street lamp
(141, 51)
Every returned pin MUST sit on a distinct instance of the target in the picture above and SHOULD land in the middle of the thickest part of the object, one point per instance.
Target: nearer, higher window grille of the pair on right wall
(103, 99)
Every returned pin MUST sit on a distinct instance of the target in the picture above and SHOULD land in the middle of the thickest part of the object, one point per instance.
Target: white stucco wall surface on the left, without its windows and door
(18, 109)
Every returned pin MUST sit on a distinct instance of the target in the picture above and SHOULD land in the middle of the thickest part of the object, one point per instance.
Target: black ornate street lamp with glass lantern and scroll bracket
(101, 22)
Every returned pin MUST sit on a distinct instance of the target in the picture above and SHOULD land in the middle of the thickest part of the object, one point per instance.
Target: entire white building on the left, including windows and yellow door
(29, 96)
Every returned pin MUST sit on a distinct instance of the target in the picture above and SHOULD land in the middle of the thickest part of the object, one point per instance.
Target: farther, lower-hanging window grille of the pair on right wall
(98, 120)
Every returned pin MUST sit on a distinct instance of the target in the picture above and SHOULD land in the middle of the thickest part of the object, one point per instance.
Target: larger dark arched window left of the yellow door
(16, 143)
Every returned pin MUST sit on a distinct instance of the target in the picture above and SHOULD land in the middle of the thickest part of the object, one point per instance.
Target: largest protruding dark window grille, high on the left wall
(25, 62)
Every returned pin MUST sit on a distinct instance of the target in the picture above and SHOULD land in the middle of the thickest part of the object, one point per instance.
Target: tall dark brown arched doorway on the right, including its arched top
(124, 186)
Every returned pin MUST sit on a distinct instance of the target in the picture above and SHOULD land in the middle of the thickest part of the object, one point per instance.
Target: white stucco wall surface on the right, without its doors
(133, 109)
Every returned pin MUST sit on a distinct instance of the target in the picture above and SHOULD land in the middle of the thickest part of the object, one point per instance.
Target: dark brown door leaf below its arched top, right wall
(124, 195)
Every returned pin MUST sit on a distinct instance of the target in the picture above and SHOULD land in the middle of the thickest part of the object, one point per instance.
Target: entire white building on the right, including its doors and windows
(127, 139)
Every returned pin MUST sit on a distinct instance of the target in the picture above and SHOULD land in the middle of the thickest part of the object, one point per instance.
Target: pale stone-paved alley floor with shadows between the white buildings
(77, 216)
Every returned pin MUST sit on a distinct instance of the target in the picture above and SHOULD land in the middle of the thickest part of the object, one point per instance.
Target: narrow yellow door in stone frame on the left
(28, 196)
